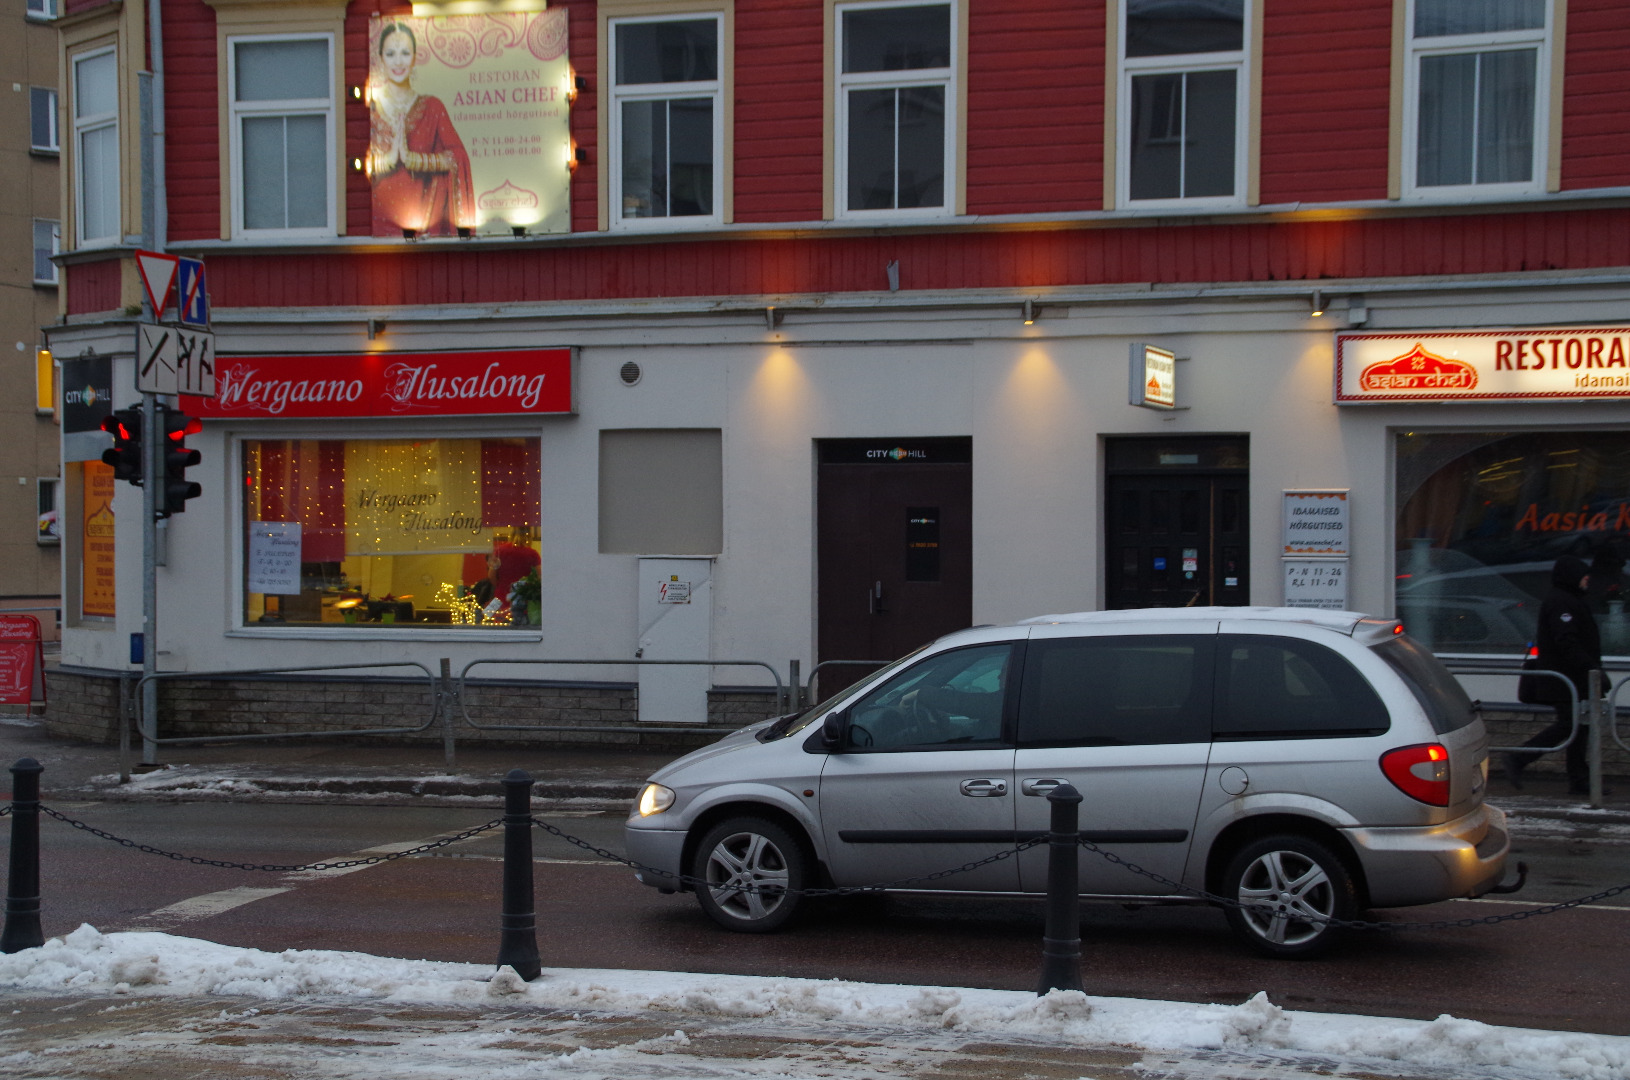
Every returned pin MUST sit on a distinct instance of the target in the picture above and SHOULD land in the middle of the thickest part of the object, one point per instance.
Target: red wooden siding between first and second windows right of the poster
(778, 110)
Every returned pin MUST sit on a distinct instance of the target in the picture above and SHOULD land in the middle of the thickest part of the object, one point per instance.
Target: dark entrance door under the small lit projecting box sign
(1176, 525)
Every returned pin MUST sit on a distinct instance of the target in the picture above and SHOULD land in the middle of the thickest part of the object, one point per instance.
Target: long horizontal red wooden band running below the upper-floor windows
(1258, 252)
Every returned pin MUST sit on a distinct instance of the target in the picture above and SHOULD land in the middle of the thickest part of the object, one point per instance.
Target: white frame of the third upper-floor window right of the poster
(1240, 63)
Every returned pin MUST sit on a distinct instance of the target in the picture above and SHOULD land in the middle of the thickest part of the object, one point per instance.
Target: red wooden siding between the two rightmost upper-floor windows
(1326, 100)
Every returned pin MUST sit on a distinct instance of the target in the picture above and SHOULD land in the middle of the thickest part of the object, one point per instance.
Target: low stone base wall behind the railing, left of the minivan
(84, 706)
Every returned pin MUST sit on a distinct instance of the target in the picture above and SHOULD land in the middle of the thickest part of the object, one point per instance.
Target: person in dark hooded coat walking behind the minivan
(1567, 643)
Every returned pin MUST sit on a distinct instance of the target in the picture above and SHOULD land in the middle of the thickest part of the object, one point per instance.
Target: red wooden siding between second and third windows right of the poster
(1036, 107)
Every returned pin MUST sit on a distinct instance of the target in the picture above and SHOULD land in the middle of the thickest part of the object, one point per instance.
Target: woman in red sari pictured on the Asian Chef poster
(416, 159)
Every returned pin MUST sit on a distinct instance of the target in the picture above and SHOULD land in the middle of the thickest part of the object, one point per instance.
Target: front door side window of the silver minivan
(949, 701)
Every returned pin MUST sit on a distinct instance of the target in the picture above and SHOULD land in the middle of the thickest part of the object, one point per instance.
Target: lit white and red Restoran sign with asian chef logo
(1528, 364)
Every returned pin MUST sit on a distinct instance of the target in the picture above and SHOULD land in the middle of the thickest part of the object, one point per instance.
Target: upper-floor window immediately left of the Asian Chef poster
(283, 126)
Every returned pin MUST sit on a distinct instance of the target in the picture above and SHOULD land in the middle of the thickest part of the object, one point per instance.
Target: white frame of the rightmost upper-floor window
(1476, 45)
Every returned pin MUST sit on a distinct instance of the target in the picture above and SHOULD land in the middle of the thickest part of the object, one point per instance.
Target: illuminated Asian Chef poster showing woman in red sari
(470, 123)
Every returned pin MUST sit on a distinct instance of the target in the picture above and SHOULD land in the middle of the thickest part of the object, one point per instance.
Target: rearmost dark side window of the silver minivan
(1274, 688)
